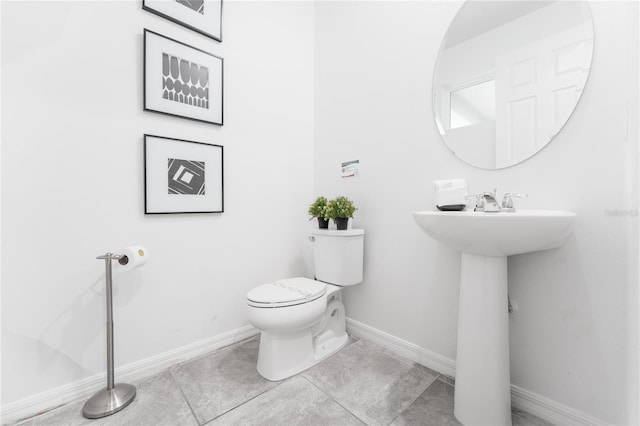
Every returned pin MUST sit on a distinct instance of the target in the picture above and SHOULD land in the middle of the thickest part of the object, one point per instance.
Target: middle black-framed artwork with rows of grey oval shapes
(181, 80)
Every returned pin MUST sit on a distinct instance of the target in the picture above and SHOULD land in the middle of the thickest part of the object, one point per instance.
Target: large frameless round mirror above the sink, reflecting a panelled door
(508, 76)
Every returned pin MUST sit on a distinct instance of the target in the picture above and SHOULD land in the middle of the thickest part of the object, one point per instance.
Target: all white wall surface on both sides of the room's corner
(72, 189)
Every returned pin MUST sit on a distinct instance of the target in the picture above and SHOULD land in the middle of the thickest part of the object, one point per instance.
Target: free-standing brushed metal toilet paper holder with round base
(114, 397)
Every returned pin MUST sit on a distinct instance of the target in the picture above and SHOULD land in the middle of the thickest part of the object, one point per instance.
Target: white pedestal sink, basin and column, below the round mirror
(483, 386)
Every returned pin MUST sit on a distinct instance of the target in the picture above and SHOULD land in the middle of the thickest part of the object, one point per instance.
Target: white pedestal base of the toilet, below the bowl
(283, 355)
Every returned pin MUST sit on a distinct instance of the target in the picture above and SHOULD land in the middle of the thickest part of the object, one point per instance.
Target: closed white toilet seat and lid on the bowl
(288, 292)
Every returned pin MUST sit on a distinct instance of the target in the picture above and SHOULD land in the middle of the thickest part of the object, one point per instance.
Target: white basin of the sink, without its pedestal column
(498, 234)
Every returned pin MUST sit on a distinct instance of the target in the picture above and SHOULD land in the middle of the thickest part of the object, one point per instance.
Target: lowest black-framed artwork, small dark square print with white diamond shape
(182, 176)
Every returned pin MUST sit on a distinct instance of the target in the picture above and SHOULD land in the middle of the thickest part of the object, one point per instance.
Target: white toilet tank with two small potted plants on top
(338, 256)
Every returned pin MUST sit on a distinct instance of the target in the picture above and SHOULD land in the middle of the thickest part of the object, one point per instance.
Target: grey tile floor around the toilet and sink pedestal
(364, 384)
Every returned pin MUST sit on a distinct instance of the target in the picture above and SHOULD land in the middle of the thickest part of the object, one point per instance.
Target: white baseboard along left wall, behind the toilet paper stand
(75, 391)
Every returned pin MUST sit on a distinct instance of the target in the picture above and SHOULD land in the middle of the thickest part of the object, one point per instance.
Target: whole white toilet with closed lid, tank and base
(302, 320)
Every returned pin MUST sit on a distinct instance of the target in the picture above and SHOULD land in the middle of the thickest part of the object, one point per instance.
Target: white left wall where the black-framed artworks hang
(72, 184)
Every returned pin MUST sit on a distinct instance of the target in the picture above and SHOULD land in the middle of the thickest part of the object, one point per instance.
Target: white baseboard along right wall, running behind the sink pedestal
(532, 403)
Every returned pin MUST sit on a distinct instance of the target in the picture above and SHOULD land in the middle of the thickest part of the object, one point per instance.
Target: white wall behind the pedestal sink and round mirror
(574, 337)
